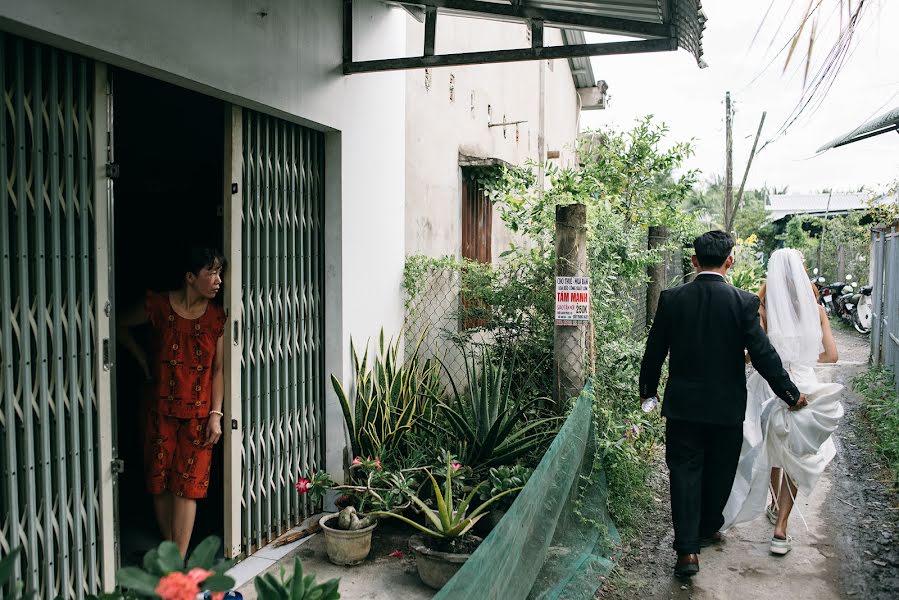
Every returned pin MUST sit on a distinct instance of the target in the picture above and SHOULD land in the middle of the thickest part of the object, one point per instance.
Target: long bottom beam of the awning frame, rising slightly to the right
(497, 56)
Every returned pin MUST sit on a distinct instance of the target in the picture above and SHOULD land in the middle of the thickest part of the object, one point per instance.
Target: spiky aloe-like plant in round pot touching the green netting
(447, 543)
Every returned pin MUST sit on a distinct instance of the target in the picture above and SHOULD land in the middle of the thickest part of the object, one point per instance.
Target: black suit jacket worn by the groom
(705, 326)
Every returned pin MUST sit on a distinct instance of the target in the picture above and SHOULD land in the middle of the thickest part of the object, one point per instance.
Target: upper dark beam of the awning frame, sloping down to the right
(553, 18)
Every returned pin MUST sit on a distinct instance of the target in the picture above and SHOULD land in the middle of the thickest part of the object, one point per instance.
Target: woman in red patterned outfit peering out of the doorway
(183, 366)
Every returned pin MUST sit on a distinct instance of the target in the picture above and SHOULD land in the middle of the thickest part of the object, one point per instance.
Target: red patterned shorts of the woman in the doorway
(175, 457)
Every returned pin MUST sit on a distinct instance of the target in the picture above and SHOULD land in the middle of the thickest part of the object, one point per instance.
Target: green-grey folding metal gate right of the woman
(282, 366)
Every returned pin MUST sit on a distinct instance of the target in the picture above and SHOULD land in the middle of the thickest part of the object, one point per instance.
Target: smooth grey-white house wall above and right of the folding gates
(286, 63)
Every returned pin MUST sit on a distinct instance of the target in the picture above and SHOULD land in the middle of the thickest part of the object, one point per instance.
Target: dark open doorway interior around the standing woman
(168, 143)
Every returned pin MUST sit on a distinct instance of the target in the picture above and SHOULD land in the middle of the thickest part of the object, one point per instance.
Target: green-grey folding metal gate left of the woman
(55, 490)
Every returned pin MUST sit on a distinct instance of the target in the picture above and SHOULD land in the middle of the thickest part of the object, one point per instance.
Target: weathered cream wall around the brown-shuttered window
(447, 113)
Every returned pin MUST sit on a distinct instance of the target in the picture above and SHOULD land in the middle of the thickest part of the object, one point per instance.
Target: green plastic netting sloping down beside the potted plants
(555, 541)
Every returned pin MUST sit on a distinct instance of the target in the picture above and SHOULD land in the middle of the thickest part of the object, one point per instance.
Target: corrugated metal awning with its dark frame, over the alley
(657, 25)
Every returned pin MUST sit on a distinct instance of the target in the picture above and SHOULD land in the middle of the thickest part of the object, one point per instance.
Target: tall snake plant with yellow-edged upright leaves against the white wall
(389, 397)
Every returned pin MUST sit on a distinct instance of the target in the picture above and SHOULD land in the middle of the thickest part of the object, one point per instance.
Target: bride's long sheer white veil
(794, 325)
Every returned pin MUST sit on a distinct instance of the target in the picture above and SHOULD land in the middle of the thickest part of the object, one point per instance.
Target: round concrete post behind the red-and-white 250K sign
(569, 360)
